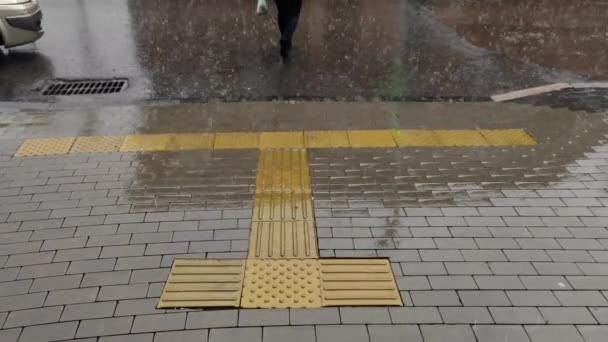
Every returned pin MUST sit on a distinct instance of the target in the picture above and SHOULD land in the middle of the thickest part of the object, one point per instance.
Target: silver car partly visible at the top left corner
(20, 22)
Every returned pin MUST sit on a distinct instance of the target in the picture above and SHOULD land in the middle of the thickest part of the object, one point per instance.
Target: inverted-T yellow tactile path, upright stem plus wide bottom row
(283, 269)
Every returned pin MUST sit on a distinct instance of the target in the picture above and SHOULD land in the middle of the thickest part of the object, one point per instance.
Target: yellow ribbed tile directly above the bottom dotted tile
(283, 239)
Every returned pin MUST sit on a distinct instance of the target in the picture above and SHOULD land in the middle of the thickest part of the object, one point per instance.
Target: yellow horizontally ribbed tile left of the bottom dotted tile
(195, 283)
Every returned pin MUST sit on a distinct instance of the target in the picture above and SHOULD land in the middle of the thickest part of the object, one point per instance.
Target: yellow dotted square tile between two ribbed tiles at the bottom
(282, 284)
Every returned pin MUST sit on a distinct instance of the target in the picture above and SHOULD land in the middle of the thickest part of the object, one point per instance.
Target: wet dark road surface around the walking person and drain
(219, 50)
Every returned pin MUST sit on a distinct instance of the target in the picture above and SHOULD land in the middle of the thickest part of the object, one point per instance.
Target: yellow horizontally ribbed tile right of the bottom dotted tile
(358, 282)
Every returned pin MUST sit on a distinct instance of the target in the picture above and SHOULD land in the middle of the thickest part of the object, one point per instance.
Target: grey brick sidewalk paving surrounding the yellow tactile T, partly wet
(86, 242)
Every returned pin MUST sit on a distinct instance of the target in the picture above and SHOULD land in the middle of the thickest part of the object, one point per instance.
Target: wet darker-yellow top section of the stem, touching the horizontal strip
(283, 171)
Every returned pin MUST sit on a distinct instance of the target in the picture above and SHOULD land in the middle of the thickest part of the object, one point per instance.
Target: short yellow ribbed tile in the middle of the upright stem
(283, 207)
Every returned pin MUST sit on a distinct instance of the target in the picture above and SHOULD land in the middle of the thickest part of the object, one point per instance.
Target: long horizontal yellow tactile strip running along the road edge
(277, 140)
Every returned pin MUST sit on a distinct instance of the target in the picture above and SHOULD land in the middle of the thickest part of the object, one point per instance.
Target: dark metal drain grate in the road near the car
(84, 87)
